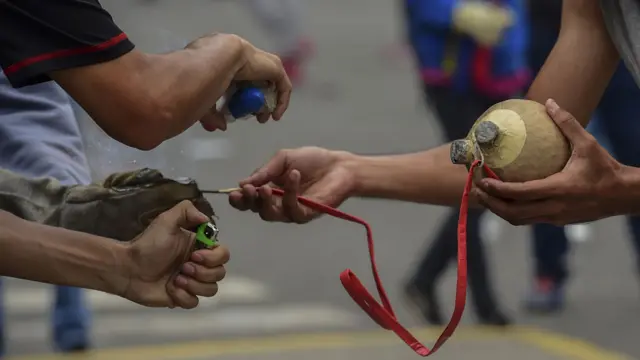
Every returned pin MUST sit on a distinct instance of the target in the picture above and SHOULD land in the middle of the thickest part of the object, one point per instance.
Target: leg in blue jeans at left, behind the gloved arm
(39, 136)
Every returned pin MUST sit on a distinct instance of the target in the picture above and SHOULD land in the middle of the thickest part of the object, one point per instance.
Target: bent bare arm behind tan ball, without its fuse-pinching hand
(575, 74)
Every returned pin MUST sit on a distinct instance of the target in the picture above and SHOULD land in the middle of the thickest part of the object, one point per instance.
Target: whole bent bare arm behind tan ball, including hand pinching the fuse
(576, 73)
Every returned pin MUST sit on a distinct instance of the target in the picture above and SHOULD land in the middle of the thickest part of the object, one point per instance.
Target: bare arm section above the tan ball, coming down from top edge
(579, 67)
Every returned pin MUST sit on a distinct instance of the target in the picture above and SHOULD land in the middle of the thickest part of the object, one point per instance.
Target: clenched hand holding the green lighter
(164, 269)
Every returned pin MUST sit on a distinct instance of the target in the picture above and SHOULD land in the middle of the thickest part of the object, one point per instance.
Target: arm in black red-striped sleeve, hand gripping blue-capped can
(139, 99)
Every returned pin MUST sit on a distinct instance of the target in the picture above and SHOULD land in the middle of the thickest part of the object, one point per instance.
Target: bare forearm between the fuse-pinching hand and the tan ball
(425, 177)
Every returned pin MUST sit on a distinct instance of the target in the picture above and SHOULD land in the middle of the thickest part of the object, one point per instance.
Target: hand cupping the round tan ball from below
(590, 187)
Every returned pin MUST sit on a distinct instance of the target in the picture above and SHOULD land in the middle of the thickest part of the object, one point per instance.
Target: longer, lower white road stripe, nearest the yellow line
(228, 321)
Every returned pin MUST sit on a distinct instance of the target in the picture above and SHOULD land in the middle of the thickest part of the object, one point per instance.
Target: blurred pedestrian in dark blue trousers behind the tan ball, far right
(614, 125)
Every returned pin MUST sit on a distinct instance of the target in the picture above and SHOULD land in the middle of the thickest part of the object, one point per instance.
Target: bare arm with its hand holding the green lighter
(158, 268)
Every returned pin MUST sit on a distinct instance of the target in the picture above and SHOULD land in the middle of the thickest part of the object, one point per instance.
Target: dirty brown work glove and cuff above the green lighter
(120, 207)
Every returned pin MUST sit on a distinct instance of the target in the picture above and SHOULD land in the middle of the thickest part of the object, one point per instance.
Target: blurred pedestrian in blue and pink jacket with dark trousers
(468, 59)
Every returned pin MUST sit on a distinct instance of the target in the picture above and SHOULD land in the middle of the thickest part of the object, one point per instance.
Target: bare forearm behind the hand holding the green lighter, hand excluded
(57, 256)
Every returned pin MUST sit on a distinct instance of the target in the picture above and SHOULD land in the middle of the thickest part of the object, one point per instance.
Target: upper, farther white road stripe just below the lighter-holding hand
(39, 299)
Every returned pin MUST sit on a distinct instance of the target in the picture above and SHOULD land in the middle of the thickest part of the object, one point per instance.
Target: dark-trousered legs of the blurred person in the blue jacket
(456, 114)
